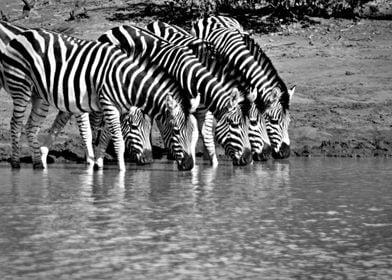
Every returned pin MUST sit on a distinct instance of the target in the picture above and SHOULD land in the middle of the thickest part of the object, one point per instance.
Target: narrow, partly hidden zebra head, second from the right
(258, 136)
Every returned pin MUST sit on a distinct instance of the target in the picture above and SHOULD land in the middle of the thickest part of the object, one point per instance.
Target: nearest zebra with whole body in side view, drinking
(79, 77)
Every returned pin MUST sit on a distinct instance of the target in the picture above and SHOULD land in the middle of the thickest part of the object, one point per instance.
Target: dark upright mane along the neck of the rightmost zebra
(264, 61)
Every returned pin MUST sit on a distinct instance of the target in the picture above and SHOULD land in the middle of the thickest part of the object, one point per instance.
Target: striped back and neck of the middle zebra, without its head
(178, 61)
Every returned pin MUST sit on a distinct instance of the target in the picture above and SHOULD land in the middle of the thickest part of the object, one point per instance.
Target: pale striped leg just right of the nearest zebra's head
(206, 128)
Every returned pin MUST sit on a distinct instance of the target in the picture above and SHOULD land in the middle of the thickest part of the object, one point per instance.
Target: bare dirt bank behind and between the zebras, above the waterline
(342, 106)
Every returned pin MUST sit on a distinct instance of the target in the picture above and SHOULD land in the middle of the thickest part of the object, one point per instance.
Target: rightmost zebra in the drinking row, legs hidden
(256, 70)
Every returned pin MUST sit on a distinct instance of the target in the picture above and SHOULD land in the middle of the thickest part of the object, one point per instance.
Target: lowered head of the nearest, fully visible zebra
(180, 134)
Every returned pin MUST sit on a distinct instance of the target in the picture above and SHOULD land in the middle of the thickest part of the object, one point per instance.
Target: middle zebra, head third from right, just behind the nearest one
(228, 106)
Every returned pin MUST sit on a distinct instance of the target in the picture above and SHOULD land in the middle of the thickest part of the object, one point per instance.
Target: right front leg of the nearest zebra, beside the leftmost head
(112, 120)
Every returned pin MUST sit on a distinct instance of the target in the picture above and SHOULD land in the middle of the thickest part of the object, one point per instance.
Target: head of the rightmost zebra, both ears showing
(277, 124)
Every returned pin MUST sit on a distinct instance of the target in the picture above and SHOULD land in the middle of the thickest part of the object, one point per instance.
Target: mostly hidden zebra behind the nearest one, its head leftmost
(142, 151)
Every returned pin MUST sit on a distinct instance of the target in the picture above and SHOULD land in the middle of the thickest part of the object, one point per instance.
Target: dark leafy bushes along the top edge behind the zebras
(267, 14)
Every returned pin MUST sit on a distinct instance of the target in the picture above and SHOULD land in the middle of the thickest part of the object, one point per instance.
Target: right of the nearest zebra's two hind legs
(39, 111)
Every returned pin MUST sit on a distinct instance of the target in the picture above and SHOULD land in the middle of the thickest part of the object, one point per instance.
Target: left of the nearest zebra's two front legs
(85, 131)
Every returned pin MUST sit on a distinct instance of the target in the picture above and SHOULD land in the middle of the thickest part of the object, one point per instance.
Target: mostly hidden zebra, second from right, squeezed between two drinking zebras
(260, 144)
